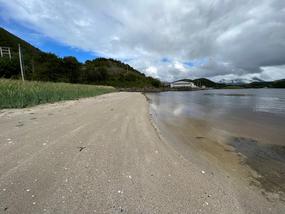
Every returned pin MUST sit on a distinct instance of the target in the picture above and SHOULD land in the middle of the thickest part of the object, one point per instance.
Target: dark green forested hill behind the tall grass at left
(43, 66)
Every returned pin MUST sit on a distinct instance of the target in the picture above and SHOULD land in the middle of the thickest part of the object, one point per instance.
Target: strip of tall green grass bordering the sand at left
(18, 94)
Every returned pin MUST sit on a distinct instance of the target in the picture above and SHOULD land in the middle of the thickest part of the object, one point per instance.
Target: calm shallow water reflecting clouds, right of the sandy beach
(253, 120)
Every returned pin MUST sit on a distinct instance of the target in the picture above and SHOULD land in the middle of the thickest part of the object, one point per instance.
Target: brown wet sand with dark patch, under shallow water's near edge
(246, 159)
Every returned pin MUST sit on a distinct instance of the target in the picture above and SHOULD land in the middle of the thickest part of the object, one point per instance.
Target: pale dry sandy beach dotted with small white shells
(105, 155)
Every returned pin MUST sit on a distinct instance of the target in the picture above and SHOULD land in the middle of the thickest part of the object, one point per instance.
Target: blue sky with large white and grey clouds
(216, 39)
